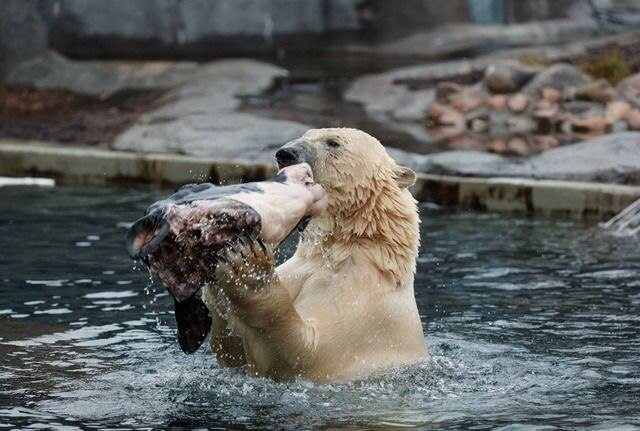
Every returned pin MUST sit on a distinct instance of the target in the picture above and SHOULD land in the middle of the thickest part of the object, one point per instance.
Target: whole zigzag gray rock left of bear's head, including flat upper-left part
(200, 113)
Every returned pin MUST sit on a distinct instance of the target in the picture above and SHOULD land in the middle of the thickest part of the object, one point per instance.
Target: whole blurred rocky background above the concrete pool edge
(235, 79)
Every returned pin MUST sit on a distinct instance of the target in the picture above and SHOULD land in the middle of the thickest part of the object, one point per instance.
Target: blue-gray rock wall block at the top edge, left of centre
(186, 21)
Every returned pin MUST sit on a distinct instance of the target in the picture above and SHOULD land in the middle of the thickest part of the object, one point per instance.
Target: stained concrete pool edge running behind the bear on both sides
(89, 166)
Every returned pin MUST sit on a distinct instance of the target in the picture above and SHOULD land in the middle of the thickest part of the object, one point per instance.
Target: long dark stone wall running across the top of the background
(206, 29)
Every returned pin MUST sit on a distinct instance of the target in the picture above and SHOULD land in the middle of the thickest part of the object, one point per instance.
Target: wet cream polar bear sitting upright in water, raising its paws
(343, 306)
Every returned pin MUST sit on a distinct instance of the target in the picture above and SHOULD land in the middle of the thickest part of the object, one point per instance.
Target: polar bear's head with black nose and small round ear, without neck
(344, 160)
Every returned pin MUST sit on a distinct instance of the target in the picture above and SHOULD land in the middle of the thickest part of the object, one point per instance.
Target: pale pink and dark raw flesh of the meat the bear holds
(186, 258)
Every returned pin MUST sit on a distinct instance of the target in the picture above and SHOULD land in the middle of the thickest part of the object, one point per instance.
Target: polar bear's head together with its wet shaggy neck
(369, 205)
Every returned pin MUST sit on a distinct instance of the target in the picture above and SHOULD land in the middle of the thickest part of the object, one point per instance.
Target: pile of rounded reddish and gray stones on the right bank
(515, 111)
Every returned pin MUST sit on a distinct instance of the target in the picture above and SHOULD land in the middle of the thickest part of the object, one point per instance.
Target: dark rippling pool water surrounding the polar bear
(532, 324)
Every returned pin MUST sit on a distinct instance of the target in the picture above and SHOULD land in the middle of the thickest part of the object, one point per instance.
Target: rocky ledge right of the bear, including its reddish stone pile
(495, 117)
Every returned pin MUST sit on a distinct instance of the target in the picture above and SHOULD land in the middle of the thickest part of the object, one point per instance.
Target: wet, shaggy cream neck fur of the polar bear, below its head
(379, 222)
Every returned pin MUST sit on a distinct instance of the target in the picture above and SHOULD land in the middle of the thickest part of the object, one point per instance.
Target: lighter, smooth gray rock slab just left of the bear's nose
(201, 117)
